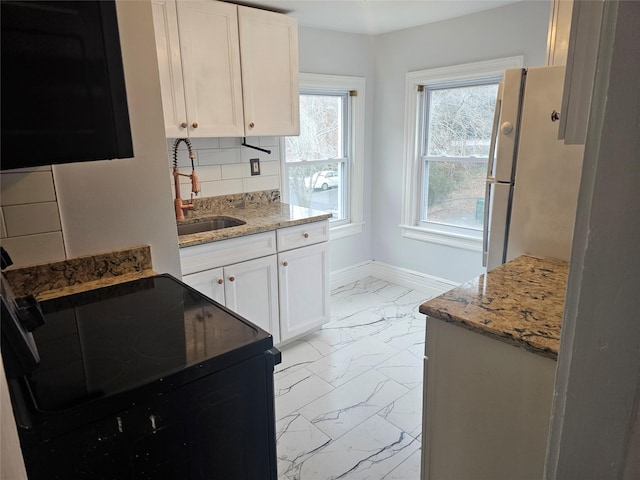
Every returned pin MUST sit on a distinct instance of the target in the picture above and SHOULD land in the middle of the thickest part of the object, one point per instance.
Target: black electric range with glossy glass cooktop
(111, 357)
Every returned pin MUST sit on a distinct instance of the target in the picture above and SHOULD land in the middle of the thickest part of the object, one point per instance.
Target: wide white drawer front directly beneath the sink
(225, 252)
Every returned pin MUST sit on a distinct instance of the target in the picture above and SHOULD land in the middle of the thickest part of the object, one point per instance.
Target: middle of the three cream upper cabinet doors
(211, 68)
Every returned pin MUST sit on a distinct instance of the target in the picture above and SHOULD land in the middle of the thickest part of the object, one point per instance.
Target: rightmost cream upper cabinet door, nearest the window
(269, 44)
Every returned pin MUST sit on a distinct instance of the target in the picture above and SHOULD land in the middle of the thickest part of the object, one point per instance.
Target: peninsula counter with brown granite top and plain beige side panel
(490, 360)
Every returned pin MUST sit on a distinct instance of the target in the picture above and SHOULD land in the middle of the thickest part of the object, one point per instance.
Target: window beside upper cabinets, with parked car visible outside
(322, 167)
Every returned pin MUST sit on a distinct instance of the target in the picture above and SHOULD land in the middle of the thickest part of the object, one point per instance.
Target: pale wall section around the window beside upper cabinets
(335, 53)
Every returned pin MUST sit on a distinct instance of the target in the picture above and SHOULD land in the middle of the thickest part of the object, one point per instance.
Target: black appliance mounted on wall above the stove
(62, 88)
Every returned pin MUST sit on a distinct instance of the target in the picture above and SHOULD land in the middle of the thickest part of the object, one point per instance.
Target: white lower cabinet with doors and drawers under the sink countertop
(281, 286)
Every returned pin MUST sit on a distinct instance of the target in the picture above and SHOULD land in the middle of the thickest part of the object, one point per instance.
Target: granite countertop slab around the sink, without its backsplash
(258, 218)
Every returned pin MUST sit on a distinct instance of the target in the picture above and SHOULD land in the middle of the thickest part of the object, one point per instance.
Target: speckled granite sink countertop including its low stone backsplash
(262, 213)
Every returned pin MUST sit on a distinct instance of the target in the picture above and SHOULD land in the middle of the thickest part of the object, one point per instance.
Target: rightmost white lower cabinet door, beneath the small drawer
(304, 289)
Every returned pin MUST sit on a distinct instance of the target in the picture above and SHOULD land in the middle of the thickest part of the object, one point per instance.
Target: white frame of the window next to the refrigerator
(411, 225)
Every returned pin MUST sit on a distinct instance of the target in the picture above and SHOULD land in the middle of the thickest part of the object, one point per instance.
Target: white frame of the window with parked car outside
(312, 83)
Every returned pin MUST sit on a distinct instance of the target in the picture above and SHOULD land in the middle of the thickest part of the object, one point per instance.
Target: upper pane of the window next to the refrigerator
(460, 120)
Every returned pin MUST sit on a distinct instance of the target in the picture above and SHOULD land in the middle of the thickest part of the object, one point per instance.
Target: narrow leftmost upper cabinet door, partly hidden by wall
(165, 21)
